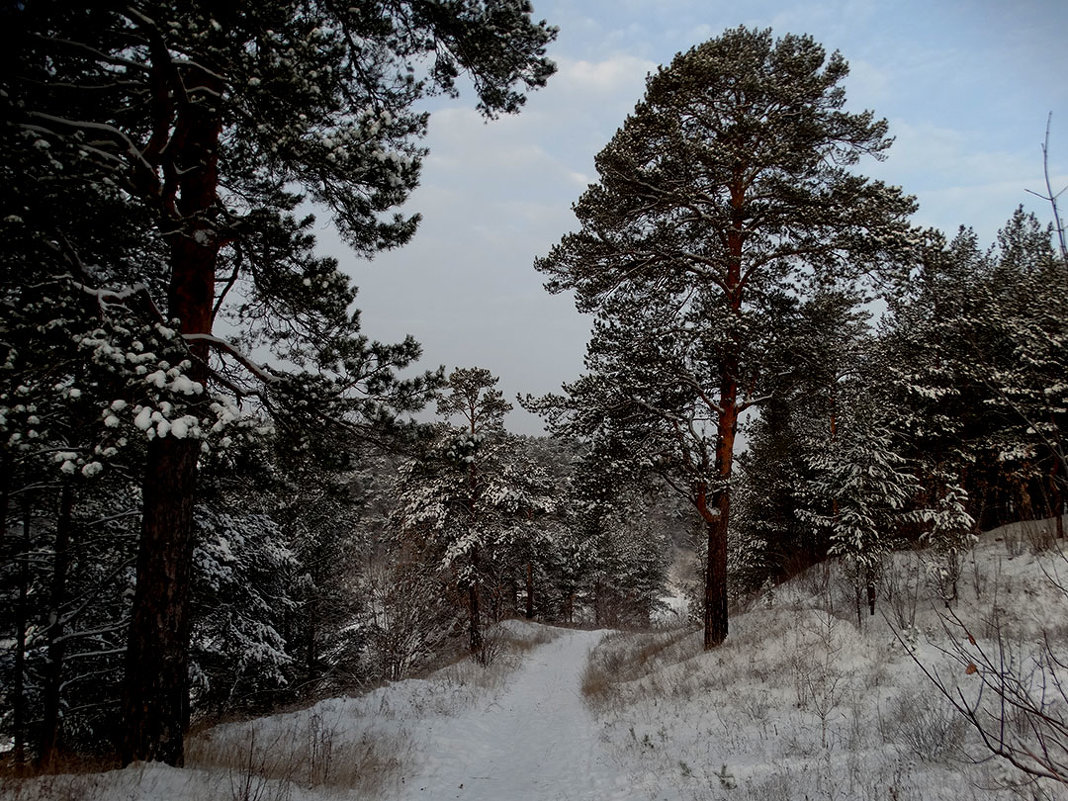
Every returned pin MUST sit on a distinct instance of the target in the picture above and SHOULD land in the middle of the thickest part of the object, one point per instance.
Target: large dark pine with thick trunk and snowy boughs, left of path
(203, 127)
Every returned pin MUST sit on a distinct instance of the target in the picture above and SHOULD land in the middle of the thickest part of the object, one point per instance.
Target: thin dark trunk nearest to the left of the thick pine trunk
(57, 645)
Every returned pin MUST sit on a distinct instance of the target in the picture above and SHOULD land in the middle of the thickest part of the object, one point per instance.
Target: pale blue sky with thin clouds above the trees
(966, 85)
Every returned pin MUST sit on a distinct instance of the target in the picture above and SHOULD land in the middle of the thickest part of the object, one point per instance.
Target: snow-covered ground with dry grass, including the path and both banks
(799, 703)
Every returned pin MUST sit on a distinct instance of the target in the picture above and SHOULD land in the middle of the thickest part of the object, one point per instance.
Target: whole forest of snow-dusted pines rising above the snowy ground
(223, 498)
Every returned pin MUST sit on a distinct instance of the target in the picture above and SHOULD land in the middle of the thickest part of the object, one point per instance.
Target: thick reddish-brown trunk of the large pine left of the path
(155, 694)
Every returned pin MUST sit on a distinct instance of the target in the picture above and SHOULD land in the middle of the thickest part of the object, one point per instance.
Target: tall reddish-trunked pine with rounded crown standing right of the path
(726, 193)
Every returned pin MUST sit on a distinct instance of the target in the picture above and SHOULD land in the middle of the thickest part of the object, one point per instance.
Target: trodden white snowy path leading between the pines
(536, 742)
